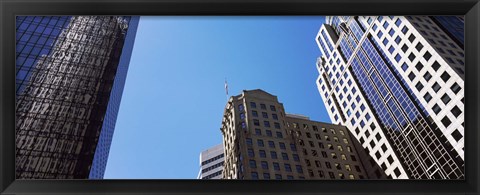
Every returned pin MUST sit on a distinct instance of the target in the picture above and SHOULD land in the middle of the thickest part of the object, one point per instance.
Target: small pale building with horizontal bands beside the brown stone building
(211, 163)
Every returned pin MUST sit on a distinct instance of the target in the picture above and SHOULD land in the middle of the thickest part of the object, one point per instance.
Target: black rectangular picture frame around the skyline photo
(10, 8)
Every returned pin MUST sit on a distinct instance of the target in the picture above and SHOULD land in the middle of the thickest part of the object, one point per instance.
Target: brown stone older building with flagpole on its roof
(263, 142)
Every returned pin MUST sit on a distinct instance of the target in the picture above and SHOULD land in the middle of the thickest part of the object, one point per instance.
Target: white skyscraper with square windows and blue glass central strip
(397, 84)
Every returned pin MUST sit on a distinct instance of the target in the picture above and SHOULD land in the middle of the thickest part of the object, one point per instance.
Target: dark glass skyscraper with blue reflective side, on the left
(70, 77)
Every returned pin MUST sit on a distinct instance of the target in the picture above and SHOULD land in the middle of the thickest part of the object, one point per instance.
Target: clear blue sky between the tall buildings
(174, 95)
